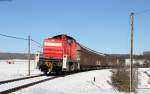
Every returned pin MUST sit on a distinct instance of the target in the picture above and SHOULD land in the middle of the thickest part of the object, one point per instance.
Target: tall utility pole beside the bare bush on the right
(131, 50)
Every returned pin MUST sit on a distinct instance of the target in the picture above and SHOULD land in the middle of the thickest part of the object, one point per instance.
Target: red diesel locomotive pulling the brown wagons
(58, 54)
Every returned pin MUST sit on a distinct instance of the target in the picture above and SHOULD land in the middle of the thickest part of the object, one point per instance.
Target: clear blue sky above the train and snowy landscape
(102, 25)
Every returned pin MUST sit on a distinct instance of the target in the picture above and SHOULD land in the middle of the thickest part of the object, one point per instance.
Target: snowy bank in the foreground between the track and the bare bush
(80, 83)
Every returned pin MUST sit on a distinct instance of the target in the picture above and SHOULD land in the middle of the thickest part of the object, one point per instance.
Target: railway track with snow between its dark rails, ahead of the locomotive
(14, 85)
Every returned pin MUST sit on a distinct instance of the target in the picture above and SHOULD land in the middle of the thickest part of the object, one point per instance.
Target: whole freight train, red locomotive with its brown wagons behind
(63, 53)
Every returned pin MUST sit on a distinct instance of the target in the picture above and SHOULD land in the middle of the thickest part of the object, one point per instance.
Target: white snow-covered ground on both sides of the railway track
(80, 83)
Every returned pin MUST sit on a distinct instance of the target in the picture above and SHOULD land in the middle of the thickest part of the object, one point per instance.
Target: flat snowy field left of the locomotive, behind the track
(10, 69)
